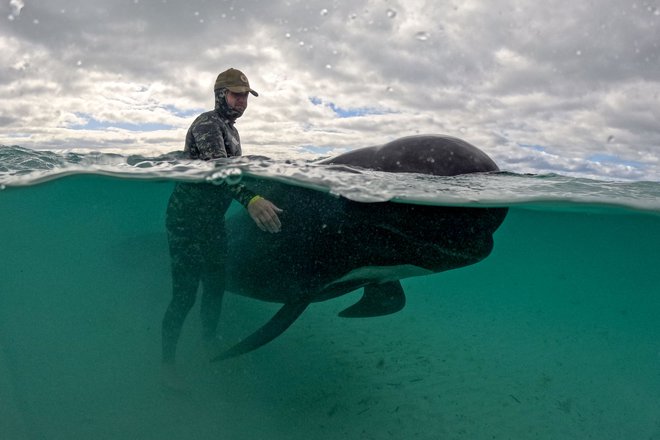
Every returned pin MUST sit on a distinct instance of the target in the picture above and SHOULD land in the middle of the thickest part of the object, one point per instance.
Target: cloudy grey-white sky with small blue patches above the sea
(559, 86)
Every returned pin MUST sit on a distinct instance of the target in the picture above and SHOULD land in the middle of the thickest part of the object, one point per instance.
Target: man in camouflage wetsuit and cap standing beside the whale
(195, 220)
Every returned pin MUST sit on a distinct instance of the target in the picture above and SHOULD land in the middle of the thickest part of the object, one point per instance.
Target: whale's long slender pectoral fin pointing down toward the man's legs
(282, 320)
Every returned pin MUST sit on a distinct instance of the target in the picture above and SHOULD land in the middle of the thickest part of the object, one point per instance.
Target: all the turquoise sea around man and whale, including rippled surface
(554, 335)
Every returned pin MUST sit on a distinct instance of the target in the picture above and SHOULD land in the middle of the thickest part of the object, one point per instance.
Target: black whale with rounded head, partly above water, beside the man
(330, 245)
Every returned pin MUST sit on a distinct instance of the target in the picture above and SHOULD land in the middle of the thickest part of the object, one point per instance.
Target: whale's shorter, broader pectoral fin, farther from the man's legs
(378, 300)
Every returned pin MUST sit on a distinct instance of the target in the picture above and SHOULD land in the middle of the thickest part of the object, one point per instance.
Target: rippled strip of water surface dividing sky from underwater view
(25, 167)
